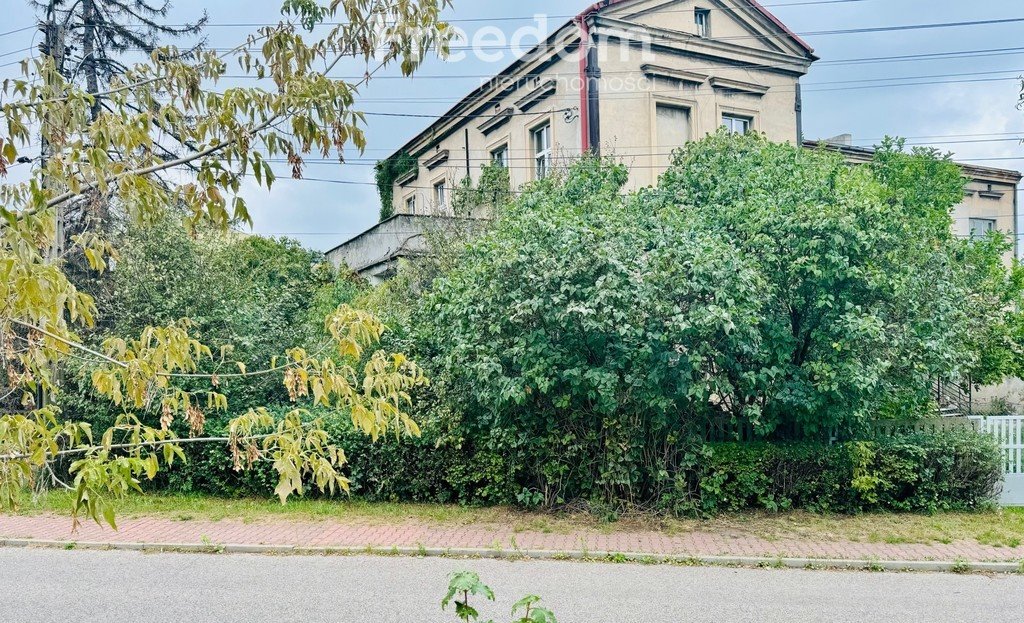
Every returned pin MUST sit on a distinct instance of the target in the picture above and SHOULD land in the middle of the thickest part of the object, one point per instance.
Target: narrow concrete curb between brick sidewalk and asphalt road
(537, 555)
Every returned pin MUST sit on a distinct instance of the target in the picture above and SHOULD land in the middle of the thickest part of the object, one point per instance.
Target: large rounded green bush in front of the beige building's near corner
(583, 336)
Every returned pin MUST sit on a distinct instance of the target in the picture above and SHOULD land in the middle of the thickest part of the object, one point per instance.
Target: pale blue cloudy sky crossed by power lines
(972, 99)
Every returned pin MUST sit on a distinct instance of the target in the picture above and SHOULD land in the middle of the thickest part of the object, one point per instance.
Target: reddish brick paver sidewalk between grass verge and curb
(486, 537)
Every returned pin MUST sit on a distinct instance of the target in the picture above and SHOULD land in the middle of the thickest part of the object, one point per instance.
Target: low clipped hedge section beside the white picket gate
(918, 473)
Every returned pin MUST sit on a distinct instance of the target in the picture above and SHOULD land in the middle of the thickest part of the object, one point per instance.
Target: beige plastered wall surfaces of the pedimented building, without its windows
(629, 41)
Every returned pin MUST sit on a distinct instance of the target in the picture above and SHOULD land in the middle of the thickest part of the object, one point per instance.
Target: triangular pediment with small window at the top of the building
(740, 23)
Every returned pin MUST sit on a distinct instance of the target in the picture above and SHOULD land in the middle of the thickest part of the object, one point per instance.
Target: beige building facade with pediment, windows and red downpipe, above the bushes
(635, 79)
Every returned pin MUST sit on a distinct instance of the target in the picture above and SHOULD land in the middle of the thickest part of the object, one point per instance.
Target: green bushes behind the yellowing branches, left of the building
(255, 298)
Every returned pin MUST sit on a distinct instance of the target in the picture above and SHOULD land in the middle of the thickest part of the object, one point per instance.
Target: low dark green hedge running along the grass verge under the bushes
(919, 473)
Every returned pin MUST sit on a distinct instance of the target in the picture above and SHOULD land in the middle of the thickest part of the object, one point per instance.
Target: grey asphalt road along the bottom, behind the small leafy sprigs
(47, 586)
